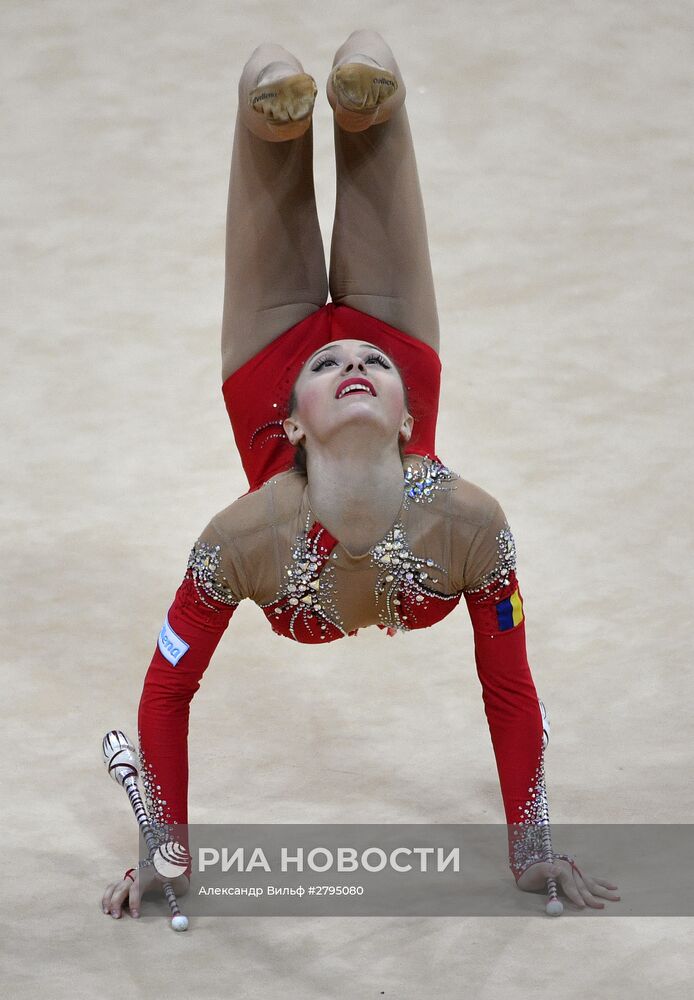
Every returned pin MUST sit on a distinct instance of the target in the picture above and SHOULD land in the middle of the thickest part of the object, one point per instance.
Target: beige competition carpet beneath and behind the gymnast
(555, 155)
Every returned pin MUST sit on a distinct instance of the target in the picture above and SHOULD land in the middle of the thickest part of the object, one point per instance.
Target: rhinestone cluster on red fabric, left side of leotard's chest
(308, 584)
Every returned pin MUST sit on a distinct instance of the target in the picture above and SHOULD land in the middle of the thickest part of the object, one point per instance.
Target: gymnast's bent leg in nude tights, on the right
(379, 258)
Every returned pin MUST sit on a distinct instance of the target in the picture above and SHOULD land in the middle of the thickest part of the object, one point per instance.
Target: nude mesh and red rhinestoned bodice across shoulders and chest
(268, 547)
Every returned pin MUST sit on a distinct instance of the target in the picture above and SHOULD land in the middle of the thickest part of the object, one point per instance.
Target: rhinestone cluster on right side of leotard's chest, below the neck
(402, 579)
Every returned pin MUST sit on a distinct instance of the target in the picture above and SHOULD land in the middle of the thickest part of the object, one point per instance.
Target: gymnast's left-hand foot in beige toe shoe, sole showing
(281, 103)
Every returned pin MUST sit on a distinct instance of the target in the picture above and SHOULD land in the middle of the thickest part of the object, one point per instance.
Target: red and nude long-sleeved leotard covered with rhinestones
(450, 540)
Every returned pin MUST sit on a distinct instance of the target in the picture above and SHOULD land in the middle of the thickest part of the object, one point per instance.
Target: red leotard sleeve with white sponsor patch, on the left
(190, 634)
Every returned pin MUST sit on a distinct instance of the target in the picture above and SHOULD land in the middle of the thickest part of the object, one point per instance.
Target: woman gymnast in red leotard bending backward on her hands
(350, 519)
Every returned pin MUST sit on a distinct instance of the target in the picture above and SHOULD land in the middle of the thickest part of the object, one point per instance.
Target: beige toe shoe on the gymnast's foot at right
(360, 94)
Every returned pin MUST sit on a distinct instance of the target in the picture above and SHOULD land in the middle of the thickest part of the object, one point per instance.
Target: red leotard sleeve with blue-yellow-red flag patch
(510, 700)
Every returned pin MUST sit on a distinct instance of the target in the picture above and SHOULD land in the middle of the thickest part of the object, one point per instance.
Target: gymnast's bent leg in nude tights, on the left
(275, 264)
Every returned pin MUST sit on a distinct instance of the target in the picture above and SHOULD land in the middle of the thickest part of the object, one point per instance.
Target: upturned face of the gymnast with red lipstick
(348, 383)
